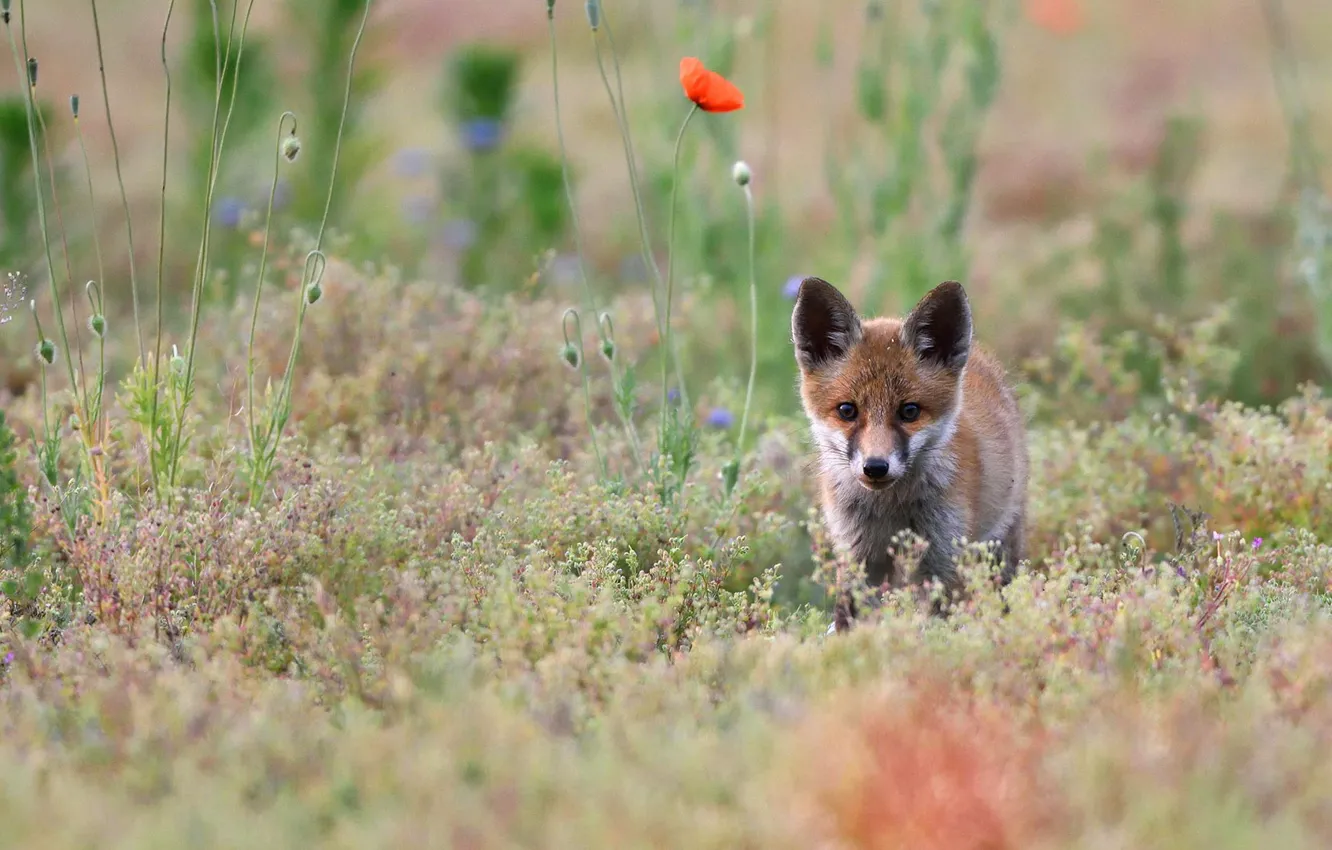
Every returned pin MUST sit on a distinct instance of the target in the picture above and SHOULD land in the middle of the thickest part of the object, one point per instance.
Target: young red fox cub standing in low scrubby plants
(916, 428)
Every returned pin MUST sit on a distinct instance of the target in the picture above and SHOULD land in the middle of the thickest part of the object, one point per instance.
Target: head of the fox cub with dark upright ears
(882, 395)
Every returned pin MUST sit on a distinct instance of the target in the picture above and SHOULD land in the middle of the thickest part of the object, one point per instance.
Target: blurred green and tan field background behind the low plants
(1129, 166)
